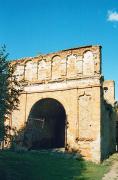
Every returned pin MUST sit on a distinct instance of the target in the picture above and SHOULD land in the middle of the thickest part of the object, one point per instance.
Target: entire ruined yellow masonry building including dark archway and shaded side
(66, 103)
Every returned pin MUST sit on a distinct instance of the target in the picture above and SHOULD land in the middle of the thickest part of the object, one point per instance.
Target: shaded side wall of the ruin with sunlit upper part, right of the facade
(108, 119)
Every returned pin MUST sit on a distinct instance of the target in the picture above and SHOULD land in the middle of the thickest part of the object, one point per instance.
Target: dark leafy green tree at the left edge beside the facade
(9, 91)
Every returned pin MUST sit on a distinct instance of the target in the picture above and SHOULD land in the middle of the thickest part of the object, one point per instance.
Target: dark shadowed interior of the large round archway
(46, 125)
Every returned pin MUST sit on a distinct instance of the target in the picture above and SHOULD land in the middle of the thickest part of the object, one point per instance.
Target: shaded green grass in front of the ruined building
(47, 166)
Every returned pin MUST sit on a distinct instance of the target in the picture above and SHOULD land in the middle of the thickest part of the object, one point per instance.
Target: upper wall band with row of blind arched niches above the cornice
(68, 64)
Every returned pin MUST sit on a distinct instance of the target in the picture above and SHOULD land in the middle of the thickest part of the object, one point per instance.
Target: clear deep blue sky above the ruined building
(30, 27)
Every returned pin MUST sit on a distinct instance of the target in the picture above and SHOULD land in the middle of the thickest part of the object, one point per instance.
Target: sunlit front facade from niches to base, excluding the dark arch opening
(73, 77)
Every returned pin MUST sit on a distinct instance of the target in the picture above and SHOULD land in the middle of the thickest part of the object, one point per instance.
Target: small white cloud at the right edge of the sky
(112, 16)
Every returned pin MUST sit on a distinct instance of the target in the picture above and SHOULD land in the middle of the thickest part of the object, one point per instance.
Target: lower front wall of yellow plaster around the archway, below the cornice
(83, 132)
